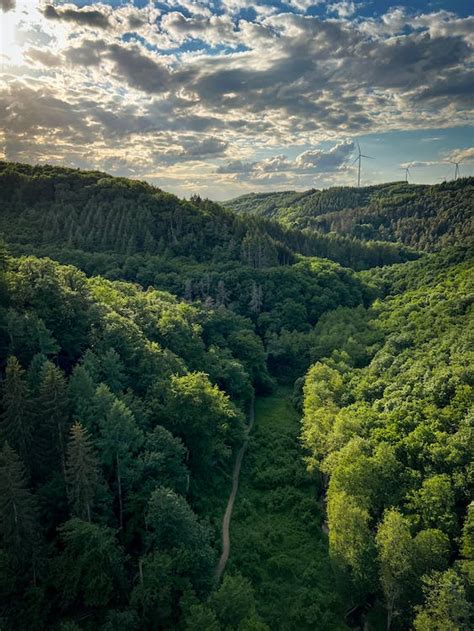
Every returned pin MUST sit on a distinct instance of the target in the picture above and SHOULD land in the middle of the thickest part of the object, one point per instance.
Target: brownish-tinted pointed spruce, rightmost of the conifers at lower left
(81, 472)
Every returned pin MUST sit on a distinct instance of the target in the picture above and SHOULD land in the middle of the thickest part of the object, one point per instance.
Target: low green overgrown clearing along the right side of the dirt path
(276, 537)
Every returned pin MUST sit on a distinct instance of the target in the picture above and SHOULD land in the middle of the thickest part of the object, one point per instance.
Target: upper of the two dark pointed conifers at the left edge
(16, 420)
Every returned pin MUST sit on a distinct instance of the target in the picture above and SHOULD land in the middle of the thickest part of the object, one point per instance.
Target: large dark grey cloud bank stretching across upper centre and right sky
(317, 74)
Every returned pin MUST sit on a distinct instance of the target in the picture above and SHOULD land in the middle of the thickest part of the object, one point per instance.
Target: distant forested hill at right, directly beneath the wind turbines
(420, 216)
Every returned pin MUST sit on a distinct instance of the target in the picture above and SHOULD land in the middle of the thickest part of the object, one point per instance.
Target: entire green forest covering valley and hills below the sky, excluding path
(145, 339)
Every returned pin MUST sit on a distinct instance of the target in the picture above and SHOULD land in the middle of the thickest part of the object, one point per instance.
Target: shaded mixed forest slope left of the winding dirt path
(124, 372)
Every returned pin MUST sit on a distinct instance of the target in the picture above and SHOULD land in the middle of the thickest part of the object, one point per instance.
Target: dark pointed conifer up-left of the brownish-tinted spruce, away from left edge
(54, 410)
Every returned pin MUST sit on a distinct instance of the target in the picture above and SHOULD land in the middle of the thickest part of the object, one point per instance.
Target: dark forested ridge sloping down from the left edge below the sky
(45, 207)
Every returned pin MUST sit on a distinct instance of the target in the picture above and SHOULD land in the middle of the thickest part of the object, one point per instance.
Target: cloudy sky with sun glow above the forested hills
(225, 97)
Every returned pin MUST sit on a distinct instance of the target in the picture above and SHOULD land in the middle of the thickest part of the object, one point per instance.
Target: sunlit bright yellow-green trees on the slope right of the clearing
(389, 427)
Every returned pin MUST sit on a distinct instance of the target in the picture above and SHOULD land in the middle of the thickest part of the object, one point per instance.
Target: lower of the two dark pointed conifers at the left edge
(17, 506)
